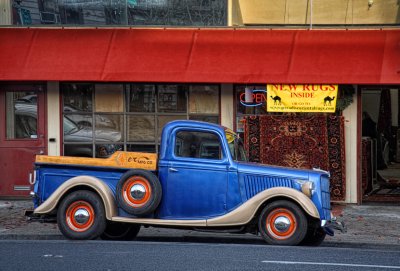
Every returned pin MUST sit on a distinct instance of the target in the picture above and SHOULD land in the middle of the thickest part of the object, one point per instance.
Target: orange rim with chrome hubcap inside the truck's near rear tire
(80, 216)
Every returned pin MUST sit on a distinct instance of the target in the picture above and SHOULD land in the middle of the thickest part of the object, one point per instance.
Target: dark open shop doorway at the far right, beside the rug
(380, 144)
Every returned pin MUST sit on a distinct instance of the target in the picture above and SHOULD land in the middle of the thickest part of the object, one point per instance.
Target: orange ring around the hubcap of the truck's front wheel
(270, 223)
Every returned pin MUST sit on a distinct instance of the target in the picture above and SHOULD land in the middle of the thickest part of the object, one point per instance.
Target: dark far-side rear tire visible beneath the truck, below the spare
(120, 231)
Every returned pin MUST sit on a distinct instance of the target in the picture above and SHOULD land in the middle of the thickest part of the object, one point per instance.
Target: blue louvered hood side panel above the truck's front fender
(255, 184)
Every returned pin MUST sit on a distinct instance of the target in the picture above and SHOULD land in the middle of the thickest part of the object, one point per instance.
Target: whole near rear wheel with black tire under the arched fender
(81, 215)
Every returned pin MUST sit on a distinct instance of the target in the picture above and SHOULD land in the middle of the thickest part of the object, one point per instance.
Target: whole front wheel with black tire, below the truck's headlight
(282, 223)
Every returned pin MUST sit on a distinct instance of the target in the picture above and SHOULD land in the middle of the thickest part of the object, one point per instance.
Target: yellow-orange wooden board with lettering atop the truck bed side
(118, 159)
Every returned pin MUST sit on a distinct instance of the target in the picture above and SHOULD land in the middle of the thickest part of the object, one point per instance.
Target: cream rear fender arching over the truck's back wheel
(84, 181)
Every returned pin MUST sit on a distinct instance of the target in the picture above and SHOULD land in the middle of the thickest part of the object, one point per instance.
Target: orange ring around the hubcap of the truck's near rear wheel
(70, 216)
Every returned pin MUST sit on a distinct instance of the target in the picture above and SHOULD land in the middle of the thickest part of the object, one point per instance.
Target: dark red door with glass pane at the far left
(23, 135)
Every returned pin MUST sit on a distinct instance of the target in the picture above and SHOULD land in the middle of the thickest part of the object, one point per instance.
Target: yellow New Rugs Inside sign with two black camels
(301, 98)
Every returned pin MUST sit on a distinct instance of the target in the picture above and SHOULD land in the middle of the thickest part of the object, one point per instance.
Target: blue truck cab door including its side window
(195, 182)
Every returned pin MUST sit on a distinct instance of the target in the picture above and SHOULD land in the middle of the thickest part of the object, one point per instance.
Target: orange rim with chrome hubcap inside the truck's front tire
(281, 224)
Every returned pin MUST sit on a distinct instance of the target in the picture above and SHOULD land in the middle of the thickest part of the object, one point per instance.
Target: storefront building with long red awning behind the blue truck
(87, 78)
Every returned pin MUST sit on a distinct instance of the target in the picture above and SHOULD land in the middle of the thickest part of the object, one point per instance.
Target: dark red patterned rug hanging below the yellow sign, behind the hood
(305, 141)
